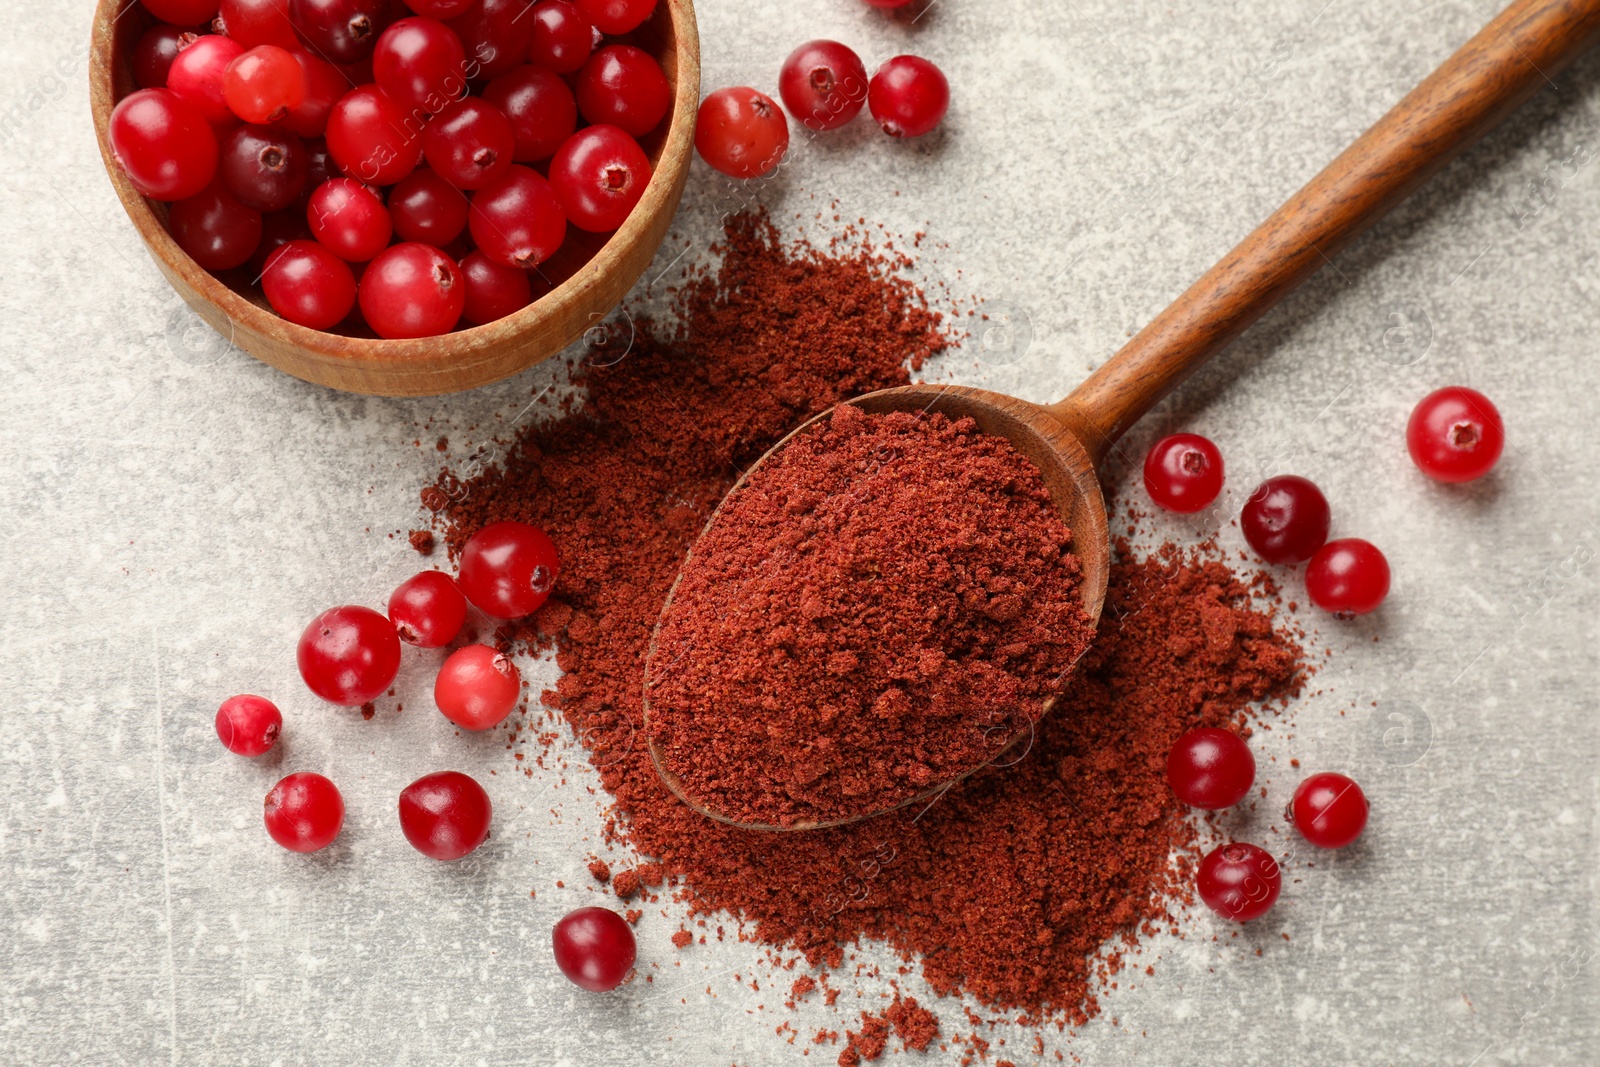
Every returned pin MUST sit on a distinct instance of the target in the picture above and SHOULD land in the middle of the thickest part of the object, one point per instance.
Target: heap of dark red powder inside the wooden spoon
(878, 609)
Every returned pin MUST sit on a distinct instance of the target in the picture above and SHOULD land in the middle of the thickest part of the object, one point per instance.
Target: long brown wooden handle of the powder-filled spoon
(1486, 81)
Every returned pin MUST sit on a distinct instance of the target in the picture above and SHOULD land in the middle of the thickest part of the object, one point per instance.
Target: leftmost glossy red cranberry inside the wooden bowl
(164, 145)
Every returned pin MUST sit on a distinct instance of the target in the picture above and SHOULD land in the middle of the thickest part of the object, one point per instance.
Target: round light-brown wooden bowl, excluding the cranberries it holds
(586, 281)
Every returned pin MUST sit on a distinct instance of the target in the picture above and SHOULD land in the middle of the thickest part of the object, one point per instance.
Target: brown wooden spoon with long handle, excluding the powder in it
(1487, 79)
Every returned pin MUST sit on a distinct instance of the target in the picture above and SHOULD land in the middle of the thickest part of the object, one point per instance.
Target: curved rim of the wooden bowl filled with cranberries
(473, 346)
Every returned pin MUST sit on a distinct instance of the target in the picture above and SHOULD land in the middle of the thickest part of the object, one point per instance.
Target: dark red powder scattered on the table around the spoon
(1015, 881)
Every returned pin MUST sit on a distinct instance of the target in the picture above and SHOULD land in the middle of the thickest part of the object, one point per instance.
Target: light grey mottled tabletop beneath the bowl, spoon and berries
(177, 511)
